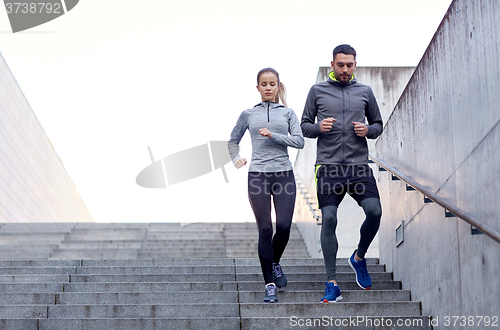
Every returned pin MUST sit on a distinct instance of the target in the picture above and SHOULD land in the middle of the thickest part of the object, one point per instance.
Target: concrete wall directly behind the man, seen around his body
(387, 83)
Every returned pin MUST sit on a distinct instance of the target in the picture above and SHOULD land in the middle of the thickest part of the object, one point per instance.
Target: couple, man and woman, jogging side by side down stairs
(340, 106)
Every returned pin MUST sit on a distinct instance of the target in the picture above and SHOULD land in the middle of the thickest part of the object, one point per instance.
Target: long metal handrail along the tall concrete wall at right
(491, 232)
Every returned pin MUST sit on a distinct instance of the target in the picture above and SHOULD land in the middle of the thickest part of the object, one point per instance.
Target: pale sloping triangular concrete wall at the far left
(34, 186)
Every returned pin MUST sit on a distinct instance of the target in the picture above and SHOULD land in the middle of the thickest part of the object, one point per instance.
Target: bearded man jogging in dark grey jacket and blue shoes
(340, 106)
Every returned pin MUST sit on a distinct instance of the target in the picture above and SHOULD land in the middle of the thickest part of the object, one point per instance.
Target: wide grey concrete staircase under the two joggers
(172, 276)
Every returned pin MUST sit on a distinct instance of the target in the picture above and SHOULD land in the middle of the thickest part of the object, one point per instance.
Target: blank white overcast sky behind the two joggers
(110, 78)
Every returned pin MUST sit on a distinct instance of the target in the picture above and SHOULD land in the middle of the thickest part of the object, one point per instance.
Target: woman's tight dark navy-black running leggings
(281, 185)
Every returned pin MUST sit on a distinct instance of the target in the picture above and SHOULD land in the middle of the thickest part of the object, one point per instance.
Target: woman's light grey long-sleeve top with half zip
(268, 154)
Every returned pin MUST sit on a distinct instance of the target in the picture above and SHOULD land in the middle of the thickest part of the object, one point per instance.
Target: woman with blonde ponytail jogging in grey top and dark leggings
(270, 172)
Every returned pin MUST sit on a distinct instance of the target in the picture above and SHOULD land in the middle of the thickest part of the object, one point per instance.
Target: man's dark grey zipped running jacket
(347, 103)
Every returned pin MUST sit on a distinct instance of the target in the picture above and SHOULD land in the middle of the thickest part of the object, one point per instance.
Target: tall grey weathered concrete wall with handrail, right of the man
(444, 133)
